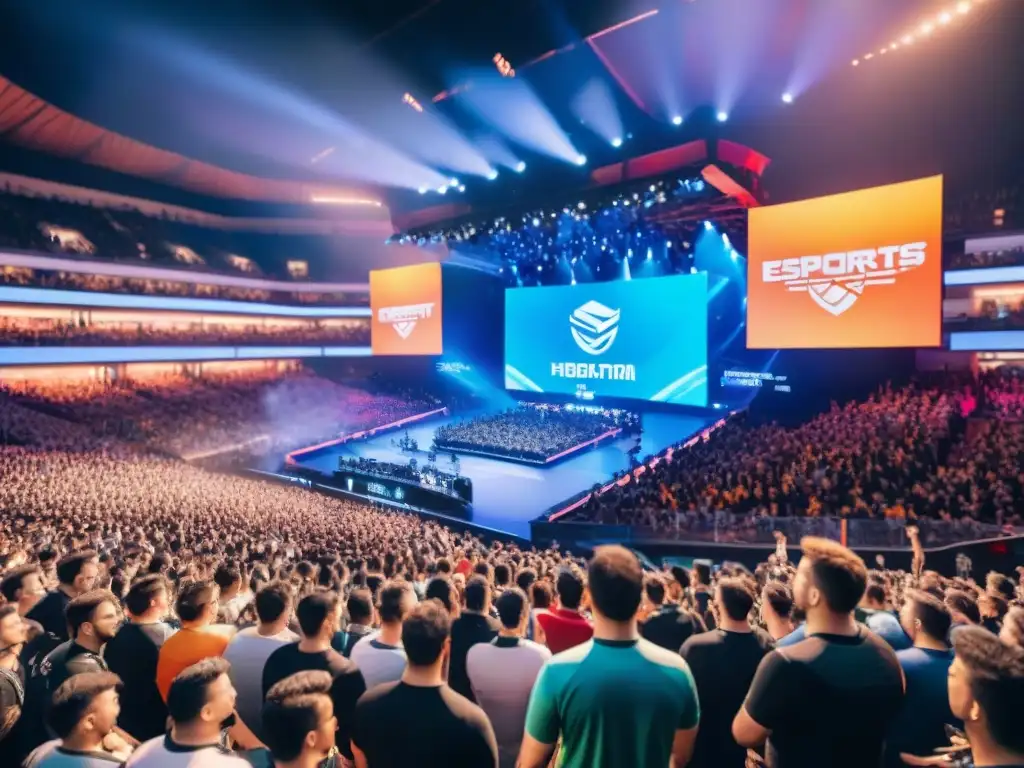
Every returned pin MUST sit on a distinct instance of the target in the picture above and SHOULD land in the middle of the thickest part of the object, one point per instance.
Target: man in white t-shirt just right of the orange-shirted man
(250, 649)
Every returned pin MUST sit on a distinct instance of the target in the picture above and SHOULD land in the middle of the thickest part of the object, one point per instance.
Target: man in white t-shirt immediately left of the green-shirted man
(502, 673)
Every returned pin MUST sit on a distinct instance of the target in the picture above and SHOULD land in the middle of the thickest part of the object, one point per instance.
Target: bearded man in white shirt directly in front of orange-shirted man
(201, 706)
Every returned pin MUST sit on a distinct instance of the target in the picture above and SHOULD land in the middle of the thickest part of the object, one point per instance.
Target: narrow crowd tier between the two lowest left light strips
(16, 332)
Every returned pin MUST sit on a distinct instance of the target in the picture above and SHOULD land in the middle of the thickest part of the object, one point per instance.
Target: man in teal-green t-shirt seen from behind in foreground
(617, 700)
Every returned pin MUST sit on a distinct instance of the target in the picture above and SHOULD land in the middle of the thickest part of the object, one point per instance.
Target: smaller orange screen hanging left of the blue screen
(407, 310)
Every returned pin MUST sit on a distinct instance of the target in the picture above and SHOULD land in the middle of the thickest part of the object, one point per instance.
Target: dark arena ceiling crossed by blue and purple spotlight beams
(313, 91)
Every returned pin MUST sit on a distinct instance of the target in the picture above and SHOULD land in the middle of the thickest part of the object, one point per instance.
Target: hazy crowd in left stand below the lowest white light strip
(195, 418)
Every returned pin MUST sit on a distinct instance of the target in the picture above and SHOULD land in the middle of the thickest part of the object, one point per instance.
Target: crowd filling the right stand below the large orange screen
(903, 454)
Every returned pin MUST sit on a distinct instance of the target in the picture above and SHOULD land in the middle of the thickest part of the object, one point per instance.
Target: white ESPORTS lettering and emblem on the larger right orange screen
(836, 281)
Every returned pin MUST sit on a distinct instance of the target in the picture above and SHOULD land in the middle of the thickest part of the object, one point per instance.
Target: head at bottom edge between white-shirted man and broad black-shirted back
(294, 707)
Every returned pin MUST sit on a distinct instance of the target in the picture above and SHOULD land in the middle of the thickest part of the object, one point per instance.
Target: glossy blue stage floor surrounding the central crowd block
(508, 496)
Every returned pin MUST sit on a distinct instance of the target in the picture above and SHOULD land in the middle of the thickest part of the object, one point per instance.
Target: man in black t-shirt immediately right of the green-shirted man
(723, 663)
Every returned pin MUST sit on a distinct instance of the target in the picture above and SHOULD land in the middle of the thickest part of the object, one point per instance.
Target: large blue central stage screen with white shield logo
(643, 339)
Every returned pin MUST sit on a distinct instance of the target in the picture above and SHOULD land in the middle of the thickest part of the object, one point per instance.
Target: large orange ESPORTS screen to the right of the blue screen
(857, 270)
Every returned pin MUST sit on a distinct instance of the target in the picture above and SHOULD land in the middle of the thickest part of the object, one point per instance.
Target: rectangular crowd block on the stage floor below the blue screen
(533, 434)
